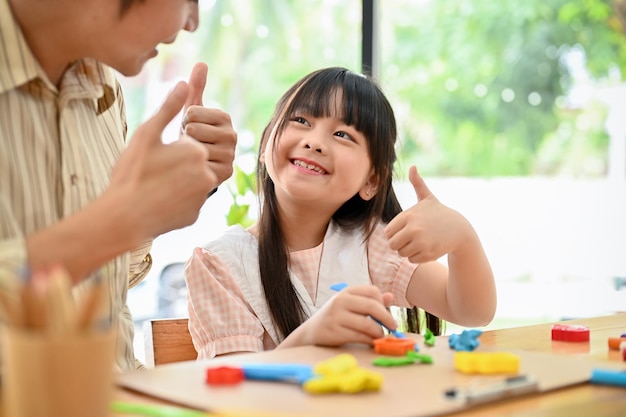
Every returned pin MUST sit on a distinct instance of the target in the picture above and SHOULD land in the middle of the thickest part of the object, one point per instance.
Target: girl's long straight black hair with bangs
(365, 107)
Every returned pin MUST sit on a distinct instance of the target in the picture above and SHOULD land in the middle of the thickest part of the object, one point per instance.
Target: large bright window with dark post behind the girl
(510, 109)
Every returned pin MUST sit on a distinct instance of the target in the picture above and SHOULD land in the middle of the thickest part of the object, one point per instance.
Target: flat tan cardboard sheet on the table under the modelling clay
(414, 390)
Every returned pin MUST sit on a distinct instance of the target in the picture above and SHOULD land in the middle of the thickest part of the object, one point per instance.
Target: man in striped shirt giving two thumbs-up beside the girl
(71, 193)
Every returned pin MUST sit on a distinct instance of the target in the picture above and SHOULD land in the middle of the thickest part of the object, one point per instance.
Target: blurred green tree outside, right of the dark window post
(484, 88)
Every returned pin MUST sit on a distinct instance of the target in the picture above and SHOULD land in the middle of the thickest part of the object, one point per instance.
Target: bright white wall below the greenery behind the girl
(554, 244)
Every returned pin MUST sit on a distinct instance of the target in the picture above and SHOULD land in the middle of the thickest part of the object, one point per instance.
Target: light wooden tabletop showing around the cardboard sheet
(578, 400)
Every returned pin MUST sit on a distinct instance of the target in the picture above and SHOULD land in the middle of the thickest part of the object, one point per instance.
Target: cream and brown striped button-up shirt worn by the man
(58, 146)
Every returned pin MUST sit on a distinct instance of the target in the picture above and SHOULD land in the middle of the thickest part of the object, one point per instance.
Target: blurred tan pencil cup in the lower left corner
(47, 375)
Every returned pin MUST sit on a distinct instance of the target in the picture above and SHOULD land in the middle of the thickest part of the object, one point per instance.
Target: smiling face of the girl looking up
(319, 161)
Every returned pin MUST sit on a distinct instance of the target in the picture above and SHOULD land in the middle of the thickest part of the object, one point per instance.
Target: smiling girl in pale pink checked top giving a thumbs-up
(329, 214)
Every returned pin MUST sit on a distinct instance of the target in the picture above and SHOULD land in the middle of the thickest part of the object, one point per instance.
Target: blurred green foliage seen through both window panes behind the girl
(480, 88)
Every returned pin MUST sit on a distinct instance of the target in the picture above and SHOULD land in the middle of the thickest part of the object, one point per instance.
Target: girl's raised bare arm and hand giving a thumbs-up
(465, 293)
